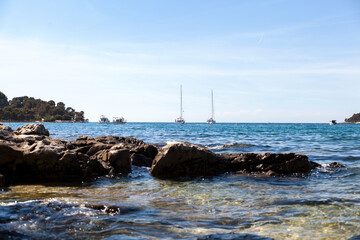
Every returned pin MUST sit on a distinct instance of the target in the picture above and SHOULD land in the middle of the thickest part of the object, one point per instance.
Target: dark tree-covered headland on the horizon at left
(29, 109)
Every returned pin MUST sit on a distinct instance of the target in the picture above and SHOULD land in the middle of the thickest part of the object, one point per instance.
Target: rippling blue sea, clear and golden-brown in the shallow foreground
(323, 204)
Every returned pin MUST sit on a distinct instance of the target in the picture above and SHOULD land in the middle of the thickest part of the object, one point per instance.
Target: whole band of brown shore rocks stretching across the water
(29, 155)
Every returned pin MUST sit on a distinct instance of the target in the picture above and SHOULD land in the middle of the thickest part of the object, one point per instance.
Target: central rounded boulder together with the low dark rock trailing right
(186, 160)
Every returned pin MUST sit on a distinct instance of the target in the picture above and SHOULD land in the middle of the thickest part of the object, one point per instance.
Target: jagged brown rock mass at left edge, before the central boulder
(29, 155)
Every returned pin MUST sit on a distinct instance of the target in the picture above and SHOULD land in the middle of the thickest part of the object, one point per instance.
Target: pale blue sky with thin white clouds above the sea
(266, 61)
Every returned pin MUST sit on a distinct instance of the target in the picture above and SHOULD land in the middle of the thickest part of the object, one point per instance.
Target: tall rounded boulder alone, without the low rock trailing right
(185, 160)
